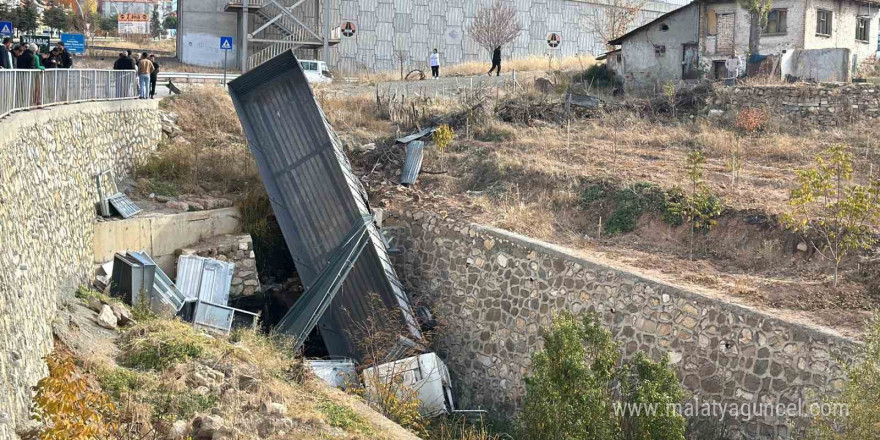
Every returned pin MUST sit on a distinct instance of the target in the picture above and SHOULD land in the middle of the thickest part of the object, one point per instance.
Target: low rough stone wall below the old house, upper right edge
(815, 104)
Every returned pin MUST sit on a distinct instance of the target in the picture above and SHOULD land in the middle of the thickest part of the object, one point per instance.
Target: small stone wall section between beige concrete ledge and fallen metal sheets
(234, 248)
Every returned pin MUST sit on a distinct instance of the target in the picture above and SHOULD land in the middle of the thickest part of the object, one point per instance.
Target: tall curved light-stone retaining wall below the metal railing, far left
(47, 207)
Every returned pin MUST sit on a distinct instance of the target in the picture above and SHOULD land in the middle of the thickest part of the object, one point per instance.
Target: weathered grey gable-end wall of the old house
(654, 55)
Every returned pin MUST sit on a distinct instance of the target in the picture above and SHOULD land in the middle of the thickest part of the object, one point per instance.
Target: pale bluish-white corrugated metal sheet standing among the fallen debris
(204, 279)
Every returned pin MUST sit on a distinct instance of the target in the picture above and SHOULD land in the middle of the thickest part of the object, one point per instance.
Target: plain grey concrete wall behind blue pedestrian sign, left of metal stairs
(205, 22)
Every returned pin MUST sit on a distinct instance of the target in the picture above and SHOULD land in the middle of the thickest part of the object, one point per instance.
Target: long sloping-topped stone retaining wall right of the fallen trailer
(492, 291)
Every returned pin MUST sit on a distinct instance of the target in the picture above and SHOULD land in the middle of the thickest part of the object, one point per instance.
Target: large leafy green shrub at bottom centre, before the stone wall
(570, 393)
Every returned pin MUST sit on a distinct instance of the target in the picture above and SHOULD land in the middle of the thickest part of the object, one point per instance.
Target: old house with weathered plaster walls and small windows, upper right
(822, 40)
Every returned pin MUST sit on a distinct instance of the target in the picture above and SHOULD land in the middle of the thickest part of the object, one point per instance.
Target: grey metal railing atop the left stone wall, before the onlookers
(27, 89)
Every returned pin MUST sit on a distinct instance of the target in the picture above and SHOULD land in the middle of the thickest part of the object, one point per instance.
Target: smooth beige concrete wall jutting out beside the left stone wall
(162, 235)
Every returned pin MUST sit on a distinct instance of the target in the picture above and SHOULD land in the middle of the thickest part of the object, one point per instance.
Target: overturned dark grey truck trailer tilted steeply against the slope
(321, 206)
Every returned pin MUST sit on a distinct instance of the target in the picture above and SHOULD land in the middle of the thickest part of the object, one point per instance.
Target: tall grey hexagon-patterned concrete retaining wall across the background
(414, 27)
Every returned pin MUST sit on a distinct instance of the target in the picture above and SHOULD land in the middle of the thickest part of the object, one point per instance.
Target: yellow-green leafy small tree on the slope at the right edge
(831, 211)
